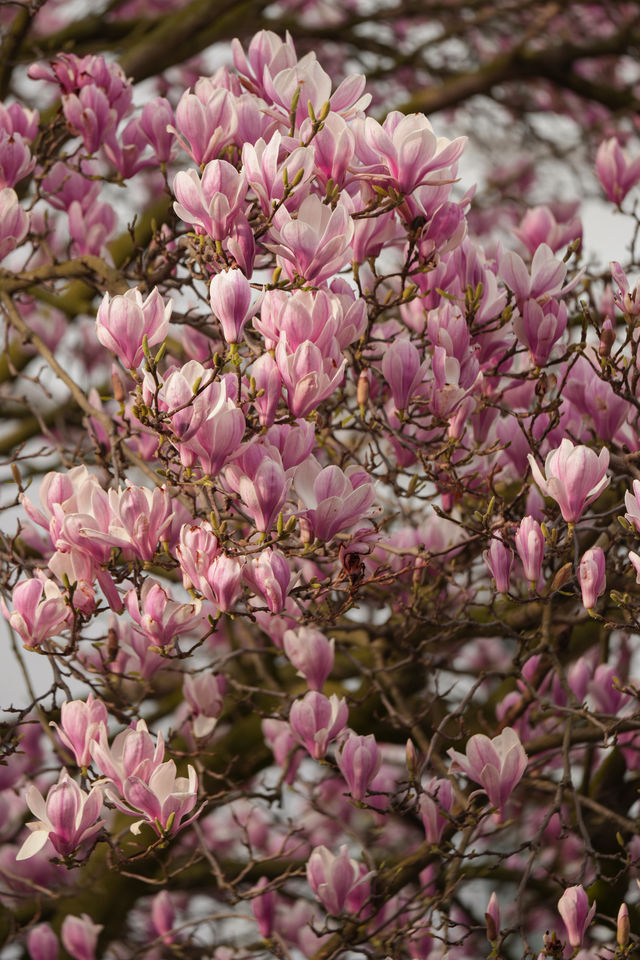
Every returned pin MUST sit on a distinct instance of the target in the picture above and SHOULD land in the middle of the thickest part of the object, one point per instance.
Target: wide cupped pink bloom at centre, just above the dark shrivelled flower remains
(335, 499)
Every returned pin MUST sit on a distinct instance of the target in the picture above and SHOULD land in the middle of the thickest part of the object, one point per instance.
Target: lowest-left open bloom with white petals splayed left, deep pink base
(68, 817)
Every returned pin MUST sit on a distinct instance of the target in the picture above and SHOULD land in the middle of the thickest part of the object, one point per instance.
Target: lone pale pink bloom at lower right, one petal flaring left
(497, 764)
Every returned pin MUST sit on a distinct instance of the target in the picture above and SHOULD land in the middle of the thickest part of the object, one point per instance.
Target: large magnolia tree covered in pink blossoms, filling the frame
(320, 512)
